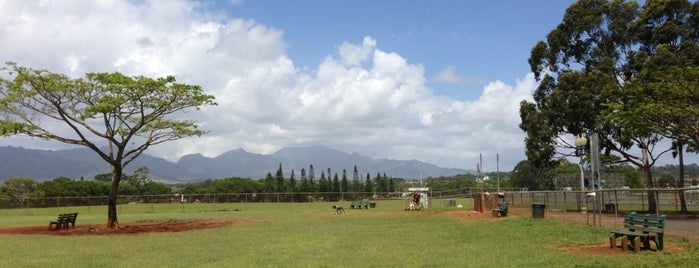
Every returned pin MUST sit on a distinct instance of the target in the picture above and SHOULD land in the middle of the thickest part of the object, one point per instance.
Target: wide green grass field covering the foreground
(311, 235)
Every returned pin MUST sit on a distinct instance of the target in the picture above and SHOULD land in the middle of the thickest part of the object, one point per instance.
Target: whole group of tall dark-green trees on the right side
(626, 73)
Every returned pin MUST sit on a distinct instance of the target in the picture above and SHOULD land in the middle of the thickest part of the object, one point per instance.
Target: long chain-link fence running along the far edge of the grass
(604, 201)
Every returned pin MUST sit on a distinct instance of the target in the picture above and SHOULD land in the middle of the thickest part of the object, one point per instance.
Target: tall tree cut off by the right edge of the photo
(664, 96)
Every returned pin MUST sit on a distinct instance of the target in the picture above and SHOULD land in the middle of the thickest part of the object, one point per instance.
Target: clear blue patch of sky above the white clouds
(482, 41)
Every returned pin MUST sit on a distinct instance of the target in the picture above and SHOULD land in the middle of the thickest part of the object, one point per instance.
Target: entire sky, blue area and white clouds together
(435, 81)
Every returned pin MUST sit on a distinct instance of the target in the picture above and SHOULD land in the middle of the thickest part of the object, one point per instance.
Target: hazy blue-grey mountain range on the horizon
(42, 165)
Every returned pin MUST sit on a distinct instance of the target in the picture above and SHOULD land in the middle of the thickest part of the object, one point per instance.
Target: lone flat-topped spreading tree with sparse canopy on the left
(127, 114)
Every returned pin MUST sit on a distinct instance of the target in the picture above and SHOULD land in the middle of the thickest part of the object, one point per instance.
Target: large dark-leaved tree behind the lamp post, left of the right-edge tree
(593, 62)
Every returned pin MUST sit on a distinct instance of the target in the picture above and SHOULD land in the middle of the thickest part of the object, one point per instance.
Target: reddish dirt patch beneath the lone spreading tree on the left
(131, 228)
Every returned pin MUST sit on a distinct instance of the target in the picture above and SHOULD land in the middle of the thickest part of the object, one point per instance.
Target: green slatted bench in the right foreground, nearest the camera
(639, 231)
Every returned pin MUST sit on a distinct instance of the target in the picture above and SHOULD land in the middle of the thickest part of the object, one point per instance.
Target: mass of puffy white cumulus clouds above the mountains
(361, 99)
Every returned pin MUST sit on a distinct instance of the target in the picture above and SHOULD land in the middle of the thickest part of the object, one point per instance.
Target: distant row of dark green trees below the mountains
(139, 183)
